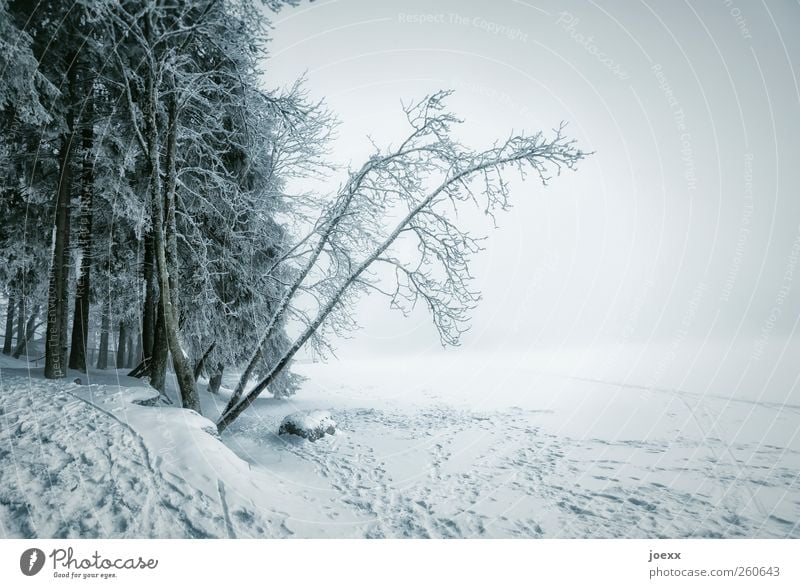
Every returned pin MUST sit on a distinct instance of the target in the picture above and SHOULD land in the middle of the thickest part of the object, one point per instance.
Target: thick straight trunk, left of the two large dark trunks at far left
(55, 345)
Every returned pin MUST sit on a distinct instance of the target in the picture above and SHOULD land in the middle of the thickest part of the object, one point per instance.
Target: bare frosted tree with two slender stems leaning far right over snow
(412, 192)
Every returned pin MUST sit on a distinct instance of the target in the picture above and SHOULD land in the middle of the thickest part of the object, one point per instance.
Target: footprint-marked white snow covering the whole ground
(423, 449)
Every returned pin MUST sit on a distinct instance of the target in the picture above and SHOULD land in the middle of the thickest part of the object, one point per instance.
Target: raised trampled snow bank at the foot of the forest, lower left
(82, 461)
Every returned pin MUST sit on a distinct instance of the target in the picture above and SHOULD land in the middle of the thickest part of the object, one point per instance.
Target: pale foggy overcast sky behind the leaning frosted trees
(685, 224)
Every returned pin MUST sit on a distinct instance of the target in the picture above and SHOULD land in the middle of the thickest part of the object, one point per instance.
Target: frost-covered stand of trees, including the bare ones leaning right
(181, 242)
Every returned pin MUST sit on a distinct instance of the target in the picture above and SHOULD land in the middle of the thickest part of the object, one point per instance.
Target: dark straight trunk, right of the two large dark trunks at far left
(80, 321)
